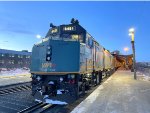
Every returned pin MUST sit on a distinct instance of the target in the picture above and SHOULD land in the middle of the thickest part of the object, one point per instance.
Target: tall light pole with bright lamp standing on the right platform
(131, 33)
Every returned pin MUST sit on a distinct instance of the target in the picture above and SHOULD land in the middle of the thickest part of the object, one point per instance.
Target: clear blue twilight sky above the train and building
(107, 22)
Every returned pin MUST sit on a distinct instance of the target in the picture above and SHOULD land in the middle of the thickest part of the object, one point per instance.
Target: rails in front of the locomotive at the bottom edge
(38, 108)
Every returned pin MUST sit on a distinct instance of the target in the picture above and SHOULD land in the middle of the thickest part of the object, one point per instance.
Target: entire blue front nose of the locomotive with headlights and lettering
(56, 56)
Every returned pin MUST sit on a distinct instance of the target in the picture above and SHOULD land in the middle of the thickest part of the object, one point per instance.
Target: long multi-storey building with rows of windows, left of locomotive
(14, 59)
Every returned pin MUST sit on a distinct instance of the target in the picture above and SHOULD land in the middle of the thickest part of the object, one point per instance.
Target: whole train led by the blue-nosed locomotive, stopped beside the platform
(66, 63)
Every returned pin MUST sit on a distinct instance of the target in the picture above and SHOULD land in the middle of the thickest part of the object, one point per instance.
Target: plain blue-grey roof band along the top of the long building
(5, 51)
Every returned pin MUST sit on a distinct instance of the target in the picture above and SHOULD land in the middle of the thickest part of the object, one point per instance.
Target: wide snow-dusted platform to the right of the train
(120, 93)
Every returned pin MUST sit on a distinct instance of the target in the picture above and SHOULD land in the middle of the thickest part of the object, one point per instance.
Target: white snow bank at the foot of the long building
(14, 72)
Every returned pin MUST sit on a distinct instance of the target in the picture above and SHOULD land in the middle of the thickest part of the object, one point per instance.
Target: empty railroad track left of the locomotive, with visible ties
(15, 88)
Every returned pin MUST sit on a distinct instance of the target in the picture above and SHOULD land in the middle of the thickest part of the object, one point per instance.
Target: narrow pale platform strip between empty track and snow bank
(8, 80)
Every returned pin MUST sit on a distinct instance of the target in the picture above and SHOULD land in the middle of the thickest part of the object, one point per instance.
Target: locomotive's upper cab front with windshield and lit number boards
(71, 32)
